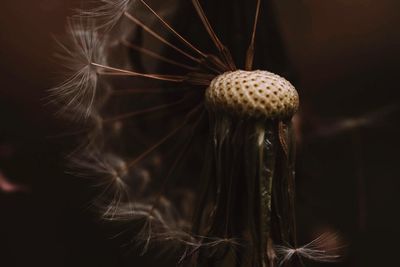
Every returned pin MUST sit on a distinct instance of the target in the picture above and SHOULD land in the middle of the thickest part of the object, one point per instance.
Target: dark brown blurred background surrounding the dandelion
(344, 57)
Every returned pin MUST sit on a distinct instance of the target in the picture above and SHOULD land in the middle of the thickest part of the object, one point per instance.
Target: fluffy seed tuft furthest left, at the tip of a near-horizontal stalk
(78, 92)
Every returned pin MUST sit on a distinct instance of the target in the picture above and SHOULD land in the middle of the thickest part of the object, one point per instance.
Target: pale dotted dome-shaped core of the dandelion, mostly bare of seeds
(253, 93)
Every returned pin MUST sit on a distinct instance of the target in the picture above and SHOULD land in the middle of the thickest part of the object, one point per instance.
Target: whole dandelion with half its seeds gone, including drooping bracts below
(244, 207)
